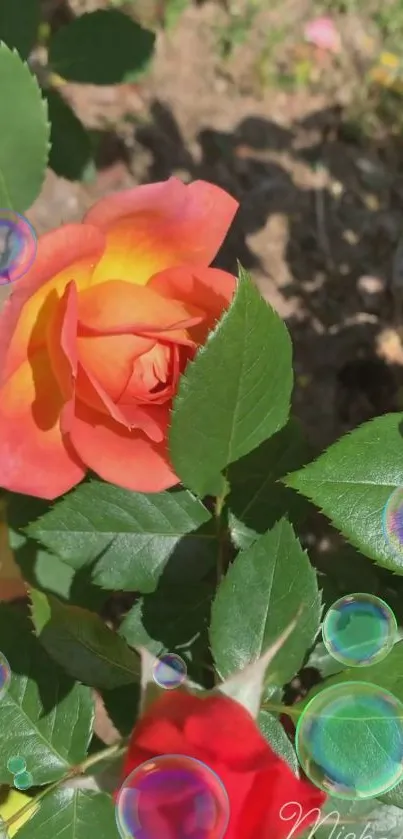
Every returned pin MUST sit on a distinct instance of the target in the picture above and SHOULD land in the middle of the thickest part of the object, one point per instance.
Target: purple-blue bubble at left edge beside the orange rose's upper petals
(17, 246)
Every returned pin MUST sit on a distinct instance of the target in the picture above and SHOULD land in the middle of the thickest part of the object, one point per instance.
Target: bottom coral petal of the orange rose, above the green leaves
(126, 458)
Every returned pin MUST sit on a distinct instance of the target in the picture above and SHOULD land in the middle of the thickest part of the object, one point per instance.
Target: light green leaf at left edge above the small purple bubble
(24, 145)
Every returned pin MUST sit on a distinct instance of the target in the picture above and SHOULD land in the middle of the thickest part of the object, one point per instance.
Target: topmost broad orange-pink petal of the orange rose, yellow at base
(156, 226)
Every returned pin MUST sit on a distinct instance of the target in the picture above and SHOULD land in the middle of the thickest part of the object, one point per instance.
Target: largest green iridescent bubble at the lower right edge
(349, 740)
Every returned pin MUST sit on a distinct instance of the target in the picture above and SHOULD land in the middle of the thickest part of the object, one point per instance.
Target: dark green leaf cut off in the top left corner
(19, 24)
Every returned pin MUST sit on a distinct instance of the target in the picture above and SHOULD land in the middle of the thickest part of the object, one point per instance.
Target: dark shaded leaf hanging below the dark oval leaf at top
(71, 149)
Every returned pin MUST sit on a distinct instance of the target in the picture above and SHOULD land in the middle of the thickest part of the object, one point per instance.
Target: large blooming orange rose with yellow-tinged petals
(96, 335)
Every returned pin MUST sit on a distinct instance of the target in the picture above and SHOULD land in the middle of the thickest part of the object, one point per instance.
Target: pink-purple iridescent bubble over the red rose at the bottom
(172, 795)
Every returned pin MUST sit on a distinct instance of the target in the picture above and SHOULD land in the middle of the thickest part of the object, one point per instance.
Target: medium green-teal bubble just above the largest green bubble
(359, 629)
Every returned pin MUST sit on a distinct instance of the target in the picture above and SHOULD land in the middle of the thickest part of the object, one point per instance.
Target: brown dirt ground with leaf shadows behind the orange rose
(321, 209)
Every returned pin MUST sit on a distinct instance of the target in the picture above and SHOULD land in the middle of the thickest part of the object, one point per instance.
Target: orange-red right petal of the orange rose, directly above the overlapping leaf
(208, 289)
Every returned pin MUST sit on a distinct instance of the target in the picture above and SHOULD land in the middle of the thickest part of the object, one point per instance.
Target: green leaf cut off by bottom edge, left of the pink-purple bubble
(72, 814)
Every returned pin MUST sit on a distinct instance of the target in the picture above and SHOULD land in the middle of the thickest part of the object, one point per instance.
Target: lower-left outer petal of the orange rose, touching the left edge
(34, 457)
